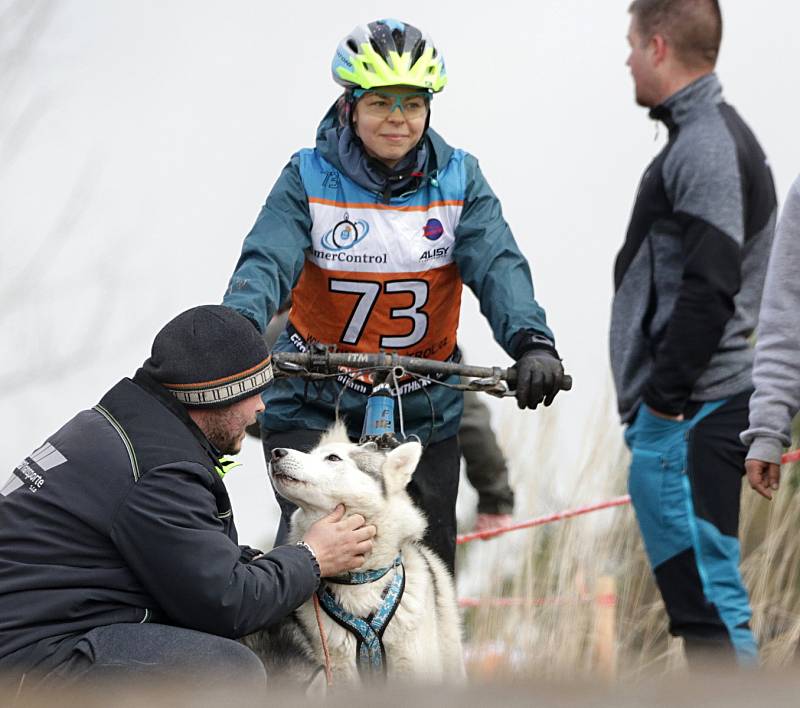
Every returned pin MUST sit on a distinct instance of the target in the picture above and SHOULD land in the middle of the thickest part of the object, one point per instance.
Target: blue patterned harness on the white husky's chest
(370, 652)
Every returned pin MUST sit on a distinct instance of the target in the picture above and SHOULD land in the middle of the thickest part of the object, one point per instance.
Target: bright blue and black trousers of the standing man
(685, 482)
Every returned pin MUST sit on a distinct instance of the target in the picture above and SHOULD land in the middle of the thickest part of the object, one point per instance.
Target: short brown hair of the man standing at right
(692, 27)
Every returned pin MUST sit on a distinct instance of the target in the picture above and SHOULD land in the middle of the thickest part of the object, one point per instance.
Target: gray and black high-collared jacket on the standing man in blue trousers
(688, 279)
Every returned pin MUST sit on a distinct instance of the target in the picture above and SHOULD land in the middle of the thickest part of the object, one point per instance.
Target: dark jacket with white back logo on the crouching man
(121, 516)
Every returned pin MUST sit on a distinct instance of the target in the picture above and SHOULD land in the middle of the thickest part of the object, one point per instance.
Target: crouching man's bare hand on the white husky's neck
(340, 544)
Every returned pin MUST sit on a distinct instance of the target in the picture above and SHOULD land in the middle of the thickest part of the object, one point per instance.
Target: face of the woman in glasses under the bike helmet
(388, 131)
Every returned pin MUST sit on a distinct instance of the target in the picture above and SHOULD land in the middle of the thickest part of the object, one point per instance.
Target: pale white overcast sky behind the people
(138, 141)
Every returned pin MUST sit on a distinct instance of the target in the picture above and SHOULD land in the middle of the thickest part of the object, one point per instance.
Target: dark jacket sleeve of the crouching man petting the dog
(168, 532)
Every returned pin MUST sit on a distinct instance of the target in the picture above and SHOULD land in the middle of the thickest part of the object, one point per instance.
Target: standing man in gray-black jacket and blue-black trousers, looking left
(688, 283)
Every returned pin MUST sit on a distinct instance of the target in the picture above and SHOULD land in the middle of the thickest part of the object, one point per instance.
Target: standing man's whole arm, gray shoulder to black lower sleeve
(703, 181)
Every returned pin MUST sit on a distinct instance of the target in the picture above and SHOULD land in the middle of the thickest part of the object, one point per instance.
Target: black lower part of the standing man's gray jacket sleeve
(711, 278)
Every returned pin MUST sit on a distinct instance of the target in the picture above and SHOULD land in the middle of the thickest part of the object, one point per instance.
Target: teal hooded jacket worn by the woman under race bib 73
(484, 250)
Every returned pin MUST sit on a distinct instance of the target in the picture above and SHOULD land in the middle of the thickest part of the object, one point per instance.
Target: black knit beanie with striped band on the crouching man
(209, 357)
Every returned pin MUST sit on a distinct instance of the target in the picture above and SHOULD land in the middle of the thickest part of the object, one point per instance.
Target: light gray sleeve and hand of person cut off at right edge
(776, 373)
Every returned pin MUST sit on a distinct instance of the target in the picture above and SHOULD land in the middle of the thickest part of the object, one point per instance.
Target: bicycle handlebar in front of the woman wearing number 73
(329, 362)
